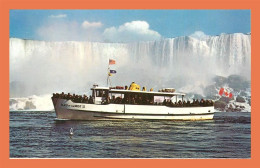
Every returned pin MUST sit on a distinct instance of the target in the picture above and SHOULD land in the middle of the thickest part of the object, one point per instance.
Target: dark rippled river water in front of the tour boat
(39, 135)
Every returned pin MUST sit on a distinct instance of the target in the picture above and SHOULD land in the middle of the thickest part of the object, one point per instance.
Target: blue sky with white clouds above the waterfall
(125, 25)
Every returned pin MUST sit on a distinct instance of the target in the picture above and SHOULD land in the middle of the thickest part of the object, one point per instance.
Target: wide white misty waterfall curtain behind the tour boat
(41, 67)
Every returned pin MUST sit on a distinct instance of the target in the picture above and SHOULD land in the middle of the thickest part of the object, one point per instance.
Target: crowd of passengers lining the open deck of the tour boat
(132, 100)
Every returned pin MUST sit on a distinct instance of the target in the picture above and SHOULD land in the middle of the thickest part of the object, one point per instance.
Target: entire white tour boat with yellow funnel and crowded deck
(117, 103)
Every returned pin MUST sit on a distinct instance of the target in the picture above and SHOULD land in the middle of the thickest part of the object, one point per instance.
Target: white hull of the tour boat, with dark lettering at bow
(66, 109)
